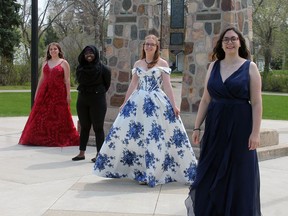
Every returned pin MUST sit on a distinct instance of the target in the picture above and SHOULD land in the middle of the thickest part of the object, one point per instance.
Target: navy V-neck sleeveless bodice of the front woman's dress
(236, 86)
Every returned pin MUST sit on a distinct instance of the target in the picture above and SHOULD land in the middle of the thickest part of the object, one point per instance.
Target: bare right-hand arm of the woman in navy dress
(256, 103)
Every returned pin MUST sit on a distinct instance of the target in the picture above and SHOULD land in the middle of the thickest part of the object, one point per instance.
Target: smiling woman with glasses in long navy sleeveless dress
(227, 180)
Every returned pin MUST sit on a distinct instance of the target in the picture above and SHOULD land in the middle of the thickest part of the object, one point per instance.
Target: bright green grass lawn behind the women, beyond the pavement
(18, 104)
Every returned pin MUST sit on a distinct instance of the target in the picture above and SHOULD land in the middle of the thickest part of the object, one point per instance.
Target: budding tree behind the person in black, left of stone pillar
(81, 24)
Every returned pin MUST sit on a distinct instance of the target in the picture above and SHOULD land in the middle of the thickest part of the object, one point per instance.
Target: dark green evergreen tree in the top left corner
(9, 23)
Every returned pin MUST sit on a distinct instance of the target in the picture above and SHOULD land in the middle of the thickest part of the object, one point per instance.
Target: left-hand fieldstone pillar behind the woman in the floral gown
(130, 21)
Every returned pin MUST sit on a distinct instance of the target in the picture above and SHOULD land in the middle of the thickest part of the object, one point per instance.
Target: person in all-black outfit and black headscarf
(94, 80)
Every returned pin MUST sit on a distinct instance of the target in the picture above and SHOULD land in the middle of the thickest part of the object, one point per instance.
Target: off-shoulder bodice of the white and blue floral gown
(150, 80)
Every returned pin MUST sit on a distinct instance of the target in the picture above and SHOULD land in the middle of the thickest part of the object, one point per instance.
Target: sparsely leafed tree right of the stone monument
(269, 18)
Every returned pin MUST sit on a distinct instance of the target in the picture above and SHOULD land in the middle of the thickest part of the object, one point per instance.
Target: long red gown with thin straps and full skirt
(50, 122)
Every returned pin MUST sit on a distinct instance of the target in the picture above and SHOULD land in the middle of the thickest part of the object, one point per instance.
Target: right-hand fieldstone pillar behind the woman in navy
(204, 23)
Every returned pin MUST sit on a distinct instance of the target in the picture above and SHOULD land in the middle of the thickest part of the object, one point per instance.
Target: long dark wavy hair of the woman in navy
(243, 51)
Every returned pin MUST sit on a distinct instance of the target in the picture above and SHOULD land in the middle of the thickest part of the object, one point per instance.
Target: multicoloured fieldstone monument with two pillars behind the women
(195, 35)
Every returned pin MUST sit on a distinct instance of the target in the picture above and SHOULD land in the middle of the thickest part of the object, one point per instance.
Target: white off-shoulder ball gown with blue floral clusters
(147, 142)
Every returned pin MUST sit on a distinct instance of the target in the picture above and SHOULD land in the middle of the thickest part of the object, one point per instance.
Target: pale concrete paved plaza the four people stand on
(43, 181)
